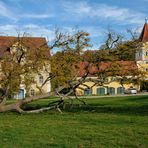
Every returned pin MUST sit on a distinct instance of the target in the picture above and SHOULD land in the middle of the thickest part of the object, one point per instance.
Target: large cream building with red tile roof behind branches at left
(28, 44)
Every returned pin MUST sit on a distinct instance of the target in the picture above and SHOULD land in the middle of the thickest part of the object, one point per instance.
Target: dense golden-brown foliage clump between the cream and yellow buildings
(64, 66)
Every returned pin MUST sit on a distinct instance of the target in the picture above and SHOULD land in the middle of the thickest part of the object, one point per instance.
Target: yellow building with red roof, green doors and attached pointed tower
(111, 85)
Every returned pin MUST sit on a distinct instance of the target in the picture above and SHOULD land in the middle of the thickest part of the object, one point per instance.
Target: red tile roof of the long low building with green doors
(111, 68)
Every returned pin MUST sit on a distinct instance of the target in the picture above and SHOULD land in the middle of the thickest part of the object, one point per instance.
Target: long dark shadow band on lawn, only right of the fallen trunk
(128, 110)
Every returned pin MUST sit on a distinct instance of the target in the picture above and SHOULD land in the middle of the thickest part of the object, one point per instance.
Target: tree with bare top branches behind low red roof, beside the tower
(118, 47)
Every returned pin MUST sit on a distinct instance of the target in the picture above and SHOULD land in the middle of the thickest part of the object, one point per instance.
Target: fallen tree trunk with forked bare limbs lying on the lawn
(17, 106)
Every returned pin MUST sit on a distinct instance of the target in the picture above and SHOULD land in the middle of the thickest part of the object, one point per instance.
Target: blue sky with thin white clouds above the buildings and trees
(42, 17)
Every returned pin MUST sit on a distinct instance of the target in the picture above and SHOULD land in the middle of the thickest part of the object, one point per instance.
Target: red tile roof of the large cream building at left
(29, 42)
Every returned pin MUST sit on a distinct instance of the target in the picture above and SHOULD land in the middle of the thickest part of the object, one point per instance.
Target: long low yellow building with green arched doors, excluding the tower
(116, 82)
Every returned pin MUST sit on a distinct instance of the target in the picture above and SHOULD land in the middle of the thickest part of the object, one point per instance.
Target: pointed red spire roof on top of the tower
(144, 34)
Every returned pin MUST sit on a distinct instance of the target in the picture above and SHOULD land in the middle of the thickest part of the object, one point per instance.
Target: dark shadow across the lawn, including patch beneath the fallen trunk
(100, 108)
